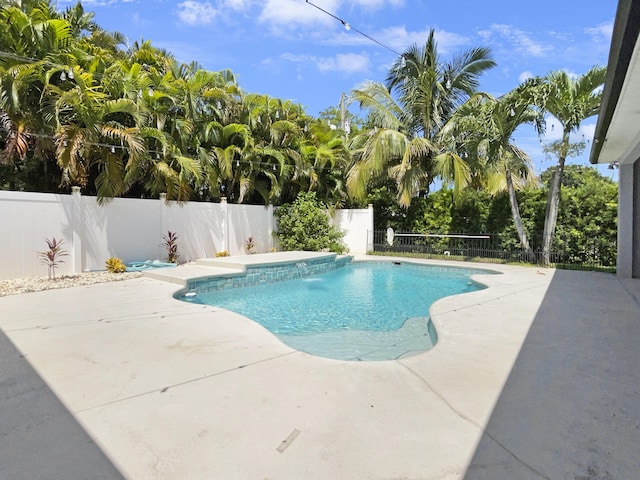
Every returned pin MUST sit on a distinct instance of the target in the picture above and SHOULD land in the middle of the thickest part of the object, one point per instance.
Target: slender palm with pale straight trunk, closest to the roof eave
(570, 100)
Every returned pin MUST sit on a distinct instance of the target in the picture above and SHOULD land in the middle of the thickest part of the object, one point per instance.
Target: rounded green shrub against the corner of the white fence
(304, 225)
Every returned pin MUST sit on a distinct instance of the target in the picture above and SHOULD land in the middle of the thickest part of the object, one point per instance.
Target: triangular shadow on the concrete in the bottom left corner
(39, 438)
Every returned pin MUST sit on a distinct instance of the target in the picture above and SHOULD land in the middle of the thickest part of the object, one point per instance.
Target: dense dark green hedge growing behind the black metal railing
(587, 218)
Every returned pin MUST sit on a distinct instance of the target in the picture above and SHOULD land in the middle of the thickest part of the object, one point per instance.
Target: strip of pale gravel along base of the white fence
(37, 284)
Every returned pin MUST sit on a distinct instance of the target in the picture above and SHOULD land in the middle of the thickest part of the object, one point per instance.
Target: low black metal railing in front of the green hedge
(592, 253)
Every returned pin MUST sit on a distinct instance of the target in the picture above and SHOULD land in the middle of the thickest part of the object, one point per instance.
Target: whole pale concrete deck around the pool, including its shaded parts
(535, 377)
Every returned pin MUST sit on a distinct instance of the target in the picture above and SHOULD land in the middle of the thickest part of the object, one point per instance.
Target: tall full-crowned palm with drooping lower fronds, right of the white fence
(405, 138)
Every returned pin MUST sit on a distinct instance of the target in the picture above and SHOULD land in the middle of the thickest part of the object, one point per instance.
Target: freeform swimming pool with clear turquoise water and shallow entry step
(359, 311)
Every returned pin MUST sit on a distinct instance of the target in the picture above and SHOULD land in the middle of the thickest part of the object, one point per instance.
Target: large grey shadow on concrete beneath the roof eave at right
(570, 408)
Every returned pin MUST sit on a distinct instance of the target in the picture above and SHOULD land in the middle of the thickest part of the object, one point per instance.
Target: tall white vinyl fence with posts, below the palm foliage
(132, 230)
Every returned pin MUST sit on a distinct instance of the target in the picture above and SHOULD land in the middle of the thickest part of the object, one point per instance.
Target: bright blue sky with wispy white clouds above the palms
(290, 50)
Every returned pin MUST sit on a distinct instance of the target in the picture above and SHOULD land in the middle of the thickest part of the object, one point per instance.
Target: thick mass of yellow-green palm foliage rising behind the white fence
(78, 109)
